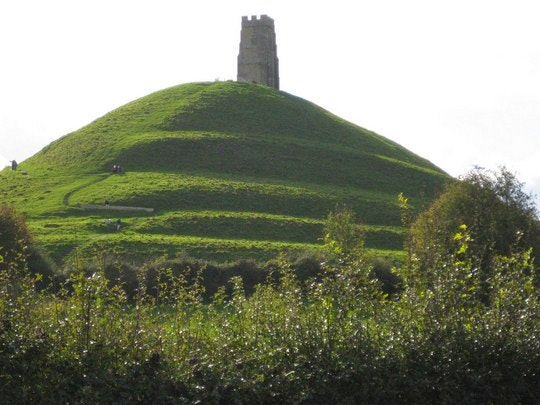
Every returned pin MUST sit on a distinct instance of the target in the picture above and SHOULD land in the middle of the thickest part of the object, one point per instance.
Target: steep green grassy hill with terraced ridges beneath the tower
(232, 170)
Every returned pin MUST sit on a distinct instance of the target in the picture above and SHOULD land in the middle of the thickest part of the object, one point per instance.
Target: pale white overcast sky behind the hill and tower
(456, 82)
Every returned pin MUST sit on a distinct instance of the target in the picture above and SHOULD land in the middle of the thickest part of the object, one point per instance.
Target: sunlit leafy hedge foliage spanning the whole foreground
(333, 339)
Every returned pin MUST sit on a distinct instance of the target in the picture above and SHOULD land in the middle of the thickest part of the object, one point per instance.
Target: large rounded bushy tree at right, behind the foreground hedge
(499, 216)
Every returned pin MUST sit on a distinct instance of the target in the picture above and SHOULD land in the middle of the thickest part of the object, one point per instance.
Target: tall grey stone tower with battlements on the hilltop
(257, 60)
